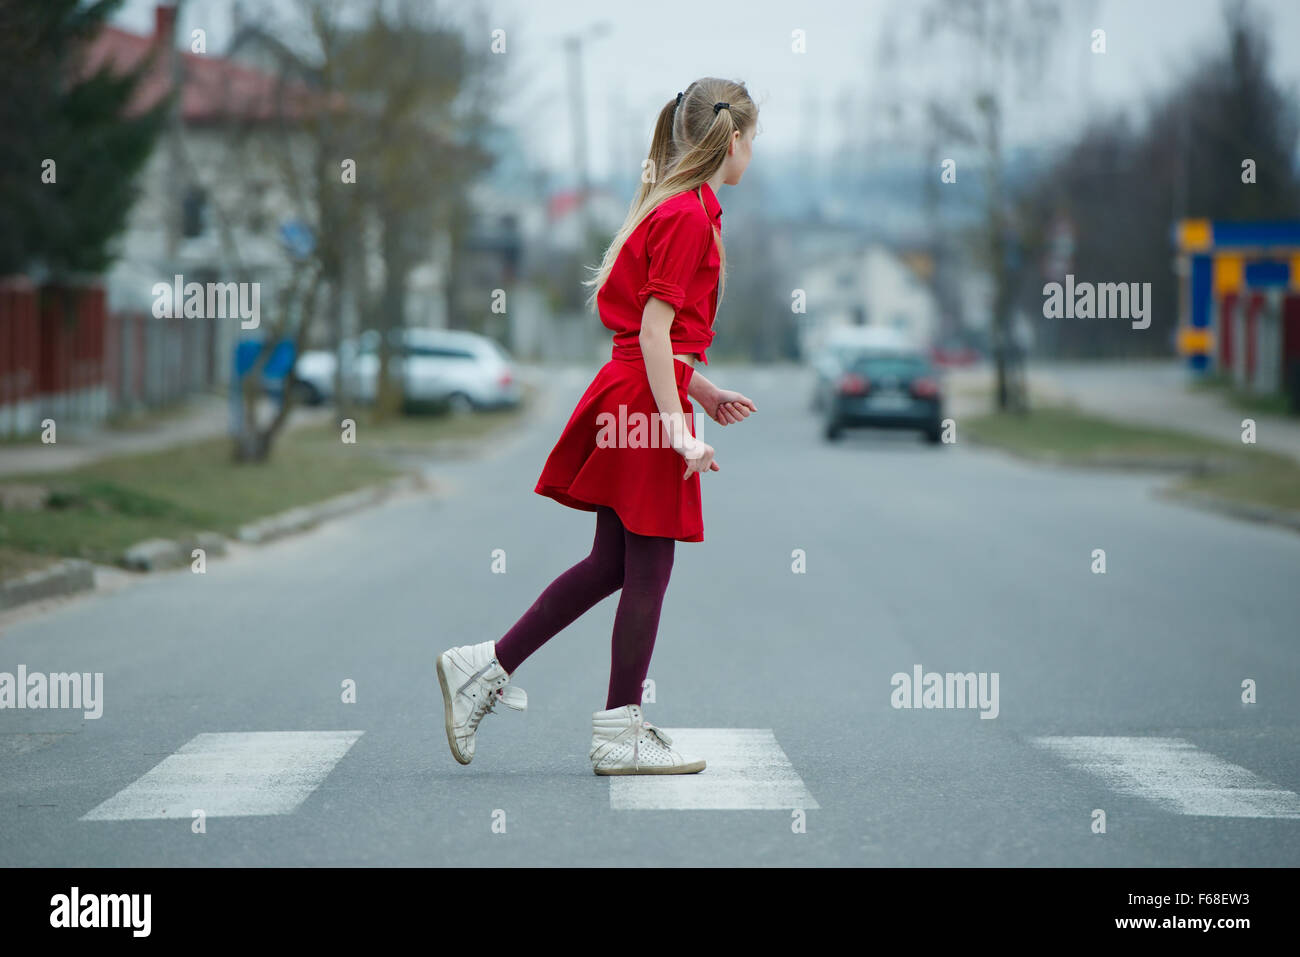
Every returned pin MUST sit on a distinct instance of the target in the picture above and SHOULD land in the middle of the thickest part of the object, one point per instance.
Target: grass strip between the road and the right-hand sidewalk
(1240, 474)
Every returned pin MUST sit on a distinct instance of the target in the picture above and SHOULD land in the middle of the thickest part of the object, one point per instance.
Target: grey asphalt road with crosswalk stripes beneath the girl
(1117, 692)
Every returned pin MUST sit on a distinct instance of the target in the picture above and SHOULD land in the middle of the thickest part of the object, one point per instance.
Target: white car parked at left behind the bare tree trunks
(463, 370)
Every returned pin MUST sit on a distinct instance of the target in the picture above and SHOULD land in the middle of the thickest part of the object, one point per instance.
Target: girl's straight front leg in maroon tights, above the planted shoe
(647, 566)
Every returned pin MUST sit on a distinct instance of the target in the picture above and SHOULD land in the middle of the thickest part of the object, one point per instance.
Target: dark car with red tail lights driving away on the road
(886, 389)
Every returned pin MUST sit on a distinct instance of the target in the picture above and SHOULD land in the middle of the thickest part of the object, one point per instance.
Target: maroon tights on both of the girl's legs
(638, 564)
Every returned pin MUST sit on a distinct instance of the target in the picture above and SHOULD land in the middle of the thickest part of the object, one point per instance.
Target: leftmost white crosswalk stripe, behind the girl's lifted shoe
(232, 776)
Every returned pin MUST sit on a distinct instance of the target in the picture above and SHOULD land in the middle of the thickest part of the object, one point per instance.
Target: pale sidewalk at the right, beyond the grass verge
(1149, 393)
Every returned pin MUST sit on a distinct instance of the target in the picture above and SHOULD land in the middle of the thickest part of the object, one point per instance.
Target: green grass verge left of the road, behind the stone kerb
(99, 510)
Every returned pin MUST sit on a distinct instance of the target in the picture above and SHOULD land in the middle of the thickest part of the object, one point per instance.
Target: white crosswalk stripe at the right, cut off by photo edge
(1176, 776)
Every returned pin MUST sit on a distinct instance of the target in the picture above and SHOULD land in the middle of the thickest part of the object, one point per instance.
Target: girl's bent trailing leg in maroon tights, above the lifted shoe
(570, 596)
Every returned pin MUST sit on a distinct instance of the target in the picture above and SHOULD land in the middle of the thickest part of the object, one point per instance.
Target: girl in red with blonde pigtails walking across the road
(630, 452)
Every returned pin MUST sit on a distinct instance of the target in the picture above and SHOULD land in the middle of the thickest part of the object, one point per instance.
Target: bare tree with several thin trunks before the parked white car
(383, 146)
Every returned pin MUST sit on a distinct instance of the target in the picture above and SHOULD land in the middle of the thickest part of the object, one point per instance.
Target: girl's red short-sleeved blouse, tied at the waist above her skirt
(671, 256)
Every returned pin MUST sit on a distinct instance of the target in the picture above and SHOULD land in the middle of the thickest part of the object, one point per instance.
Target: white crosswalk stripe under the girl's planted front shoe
(747, 770)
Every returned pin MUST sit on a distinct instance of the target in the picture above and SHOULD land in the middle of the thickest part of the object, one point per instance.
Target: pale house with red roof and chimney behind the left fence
(218, 198)
